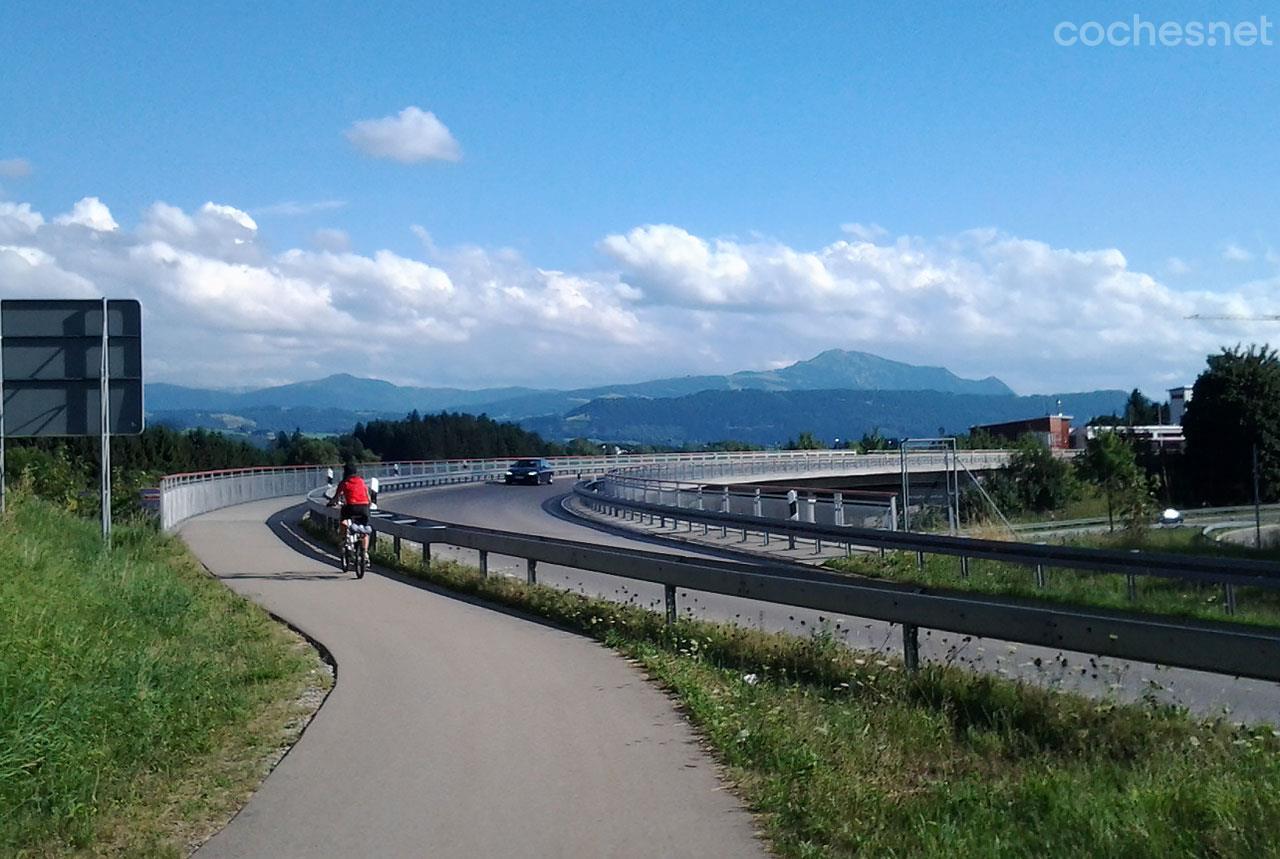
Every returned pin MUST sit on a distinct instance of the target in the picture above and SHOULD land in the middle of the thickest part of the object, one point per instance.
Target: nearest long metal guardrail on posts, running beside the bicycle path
(1204, 646)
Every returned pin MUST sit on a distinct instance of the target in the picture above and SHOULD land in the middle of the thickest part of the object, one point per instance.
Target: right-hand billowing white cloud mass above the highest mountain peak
(980, 303)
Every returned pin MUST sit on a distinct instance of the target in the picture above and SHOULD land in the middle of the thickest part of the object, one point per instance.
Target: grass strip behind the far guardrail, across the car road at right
(1081, 588)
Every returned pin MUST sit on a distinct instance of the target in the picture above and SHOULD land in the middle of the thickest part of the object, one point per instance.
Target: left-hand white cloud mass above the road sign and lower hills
(221, 309)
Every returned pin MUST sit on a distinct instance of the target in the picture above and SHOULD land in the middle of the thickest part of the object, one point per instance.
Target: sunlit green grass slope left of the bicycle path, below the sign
(140, 700)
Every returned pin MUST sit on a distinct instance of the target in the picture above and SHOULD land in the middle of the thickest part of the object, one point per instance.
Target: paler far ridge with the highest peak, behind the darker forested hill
(377, 399)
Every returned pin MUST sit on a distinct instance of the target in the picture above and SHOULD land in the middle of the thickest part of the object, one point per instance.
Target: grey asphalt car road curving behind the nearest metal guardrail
(537, 511)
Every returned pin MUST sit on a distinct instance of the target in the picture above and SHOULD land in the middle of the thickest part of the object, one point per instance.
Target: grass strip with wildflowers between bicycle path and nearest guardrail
(844, 755)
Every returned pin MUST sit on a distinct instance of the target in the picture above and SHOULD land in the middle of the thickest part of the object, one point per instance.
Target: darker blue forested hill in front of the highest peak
(771, 417)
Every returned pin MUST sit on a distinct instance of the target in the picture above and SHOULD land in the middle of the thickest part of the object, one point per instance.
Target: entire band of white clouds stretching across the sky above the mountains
(222, 308)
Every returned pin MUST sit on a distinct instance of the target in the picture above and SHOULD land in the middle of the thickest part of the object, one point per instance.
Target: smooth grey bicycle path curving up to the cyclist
(458, 729)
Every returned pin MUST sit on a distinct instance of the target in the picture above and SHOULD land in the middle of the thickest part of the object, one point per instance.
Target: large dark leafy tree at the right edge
(1236, 404)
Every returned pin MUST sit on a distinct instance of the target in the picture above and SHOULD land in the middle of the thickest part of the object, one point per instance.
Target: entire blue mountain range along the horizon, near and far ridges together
(767, 405)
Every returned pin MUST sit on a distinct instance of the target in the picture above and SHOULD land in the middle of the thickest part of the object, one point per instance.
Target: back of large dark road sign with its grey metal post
(72, 369)
